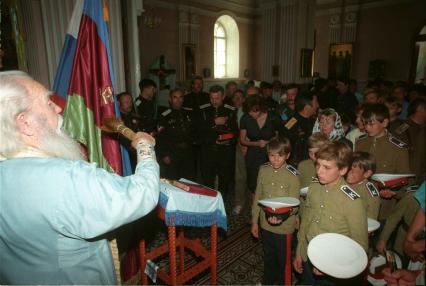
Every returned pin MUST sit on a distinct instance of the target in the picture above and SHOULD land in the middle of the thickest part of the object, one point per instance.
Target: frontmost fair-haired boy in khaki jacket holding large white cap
(331, 206)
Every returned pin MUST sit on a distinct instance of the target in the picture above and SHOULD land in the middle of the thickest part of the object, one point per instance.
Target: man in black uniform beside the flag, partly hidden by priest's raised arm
(131, 120)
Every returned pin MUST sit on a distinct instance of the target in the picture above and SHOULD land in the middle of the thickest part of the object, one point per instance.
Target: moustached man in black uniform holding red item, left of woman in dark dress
(218, 127)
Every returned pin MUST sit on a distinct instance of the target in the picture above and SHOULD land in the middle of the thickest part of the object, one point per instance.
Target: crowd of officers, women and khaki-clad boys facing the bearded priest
(271, 140)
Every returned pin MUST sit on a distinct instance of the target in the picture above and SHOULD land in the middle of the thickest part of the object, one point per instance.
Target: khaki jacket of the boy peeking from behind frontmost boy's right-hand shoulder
(371, 198)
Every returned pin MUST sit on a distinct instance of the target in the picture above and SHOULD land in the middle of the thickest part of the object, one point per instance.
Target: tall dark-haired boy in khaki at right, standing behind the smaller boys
(391, 153)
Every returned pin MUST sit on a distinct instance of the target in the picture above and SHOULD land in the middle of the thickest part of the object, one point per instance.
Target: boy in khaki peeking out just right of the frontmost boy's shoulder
(363, 167)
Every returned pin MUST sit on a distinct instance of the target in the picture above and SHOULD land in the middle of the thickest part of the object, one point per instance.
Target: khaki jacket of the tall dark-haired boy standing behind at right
(391, 157)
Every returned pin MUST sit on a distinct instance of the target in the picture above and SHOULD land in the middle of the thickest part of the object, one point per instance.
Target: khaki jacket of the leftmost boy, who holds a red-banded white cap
(273, 183)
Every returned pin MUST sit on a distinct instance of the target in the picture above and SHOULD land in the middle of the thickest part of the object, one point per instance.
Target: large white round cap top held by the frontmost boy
(337, 255)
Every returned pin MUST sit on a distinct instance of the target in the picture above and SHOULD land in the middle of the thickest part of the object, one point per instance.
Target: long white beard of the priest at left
(56, 143)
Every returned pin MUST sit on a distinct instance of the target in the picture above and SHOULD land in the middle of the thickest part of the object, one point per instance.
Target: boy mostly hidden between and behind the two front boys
(307, 167)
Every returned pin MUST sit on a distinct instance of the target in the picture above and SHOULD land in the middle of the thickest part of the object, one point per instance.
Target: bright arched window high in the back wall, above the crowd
(226, 48)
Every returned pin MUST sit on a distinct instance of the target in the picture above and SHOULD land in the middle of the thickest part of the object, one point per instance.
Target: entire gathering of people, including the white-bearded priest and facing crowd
(249, 143)
